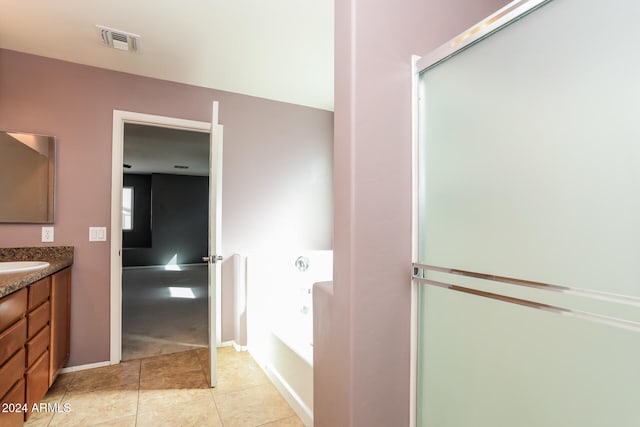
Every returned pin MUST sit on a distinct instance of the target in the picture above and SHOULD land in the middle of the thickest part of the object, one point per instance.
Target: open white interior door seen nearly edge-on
(215, 248)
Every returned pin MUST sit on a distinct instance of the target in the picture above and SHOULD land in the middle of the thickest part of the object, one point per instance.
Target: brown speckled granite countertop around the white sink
(58, 258)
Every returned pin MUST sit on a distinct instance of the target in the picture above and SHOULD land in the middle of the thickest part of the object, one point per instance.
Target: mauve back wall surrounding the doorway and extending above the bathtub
(272, 195)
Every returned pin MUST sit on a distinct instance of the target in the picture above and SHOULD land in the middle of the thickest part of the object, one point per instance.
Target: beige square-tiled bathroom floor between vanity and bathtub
(168, 390)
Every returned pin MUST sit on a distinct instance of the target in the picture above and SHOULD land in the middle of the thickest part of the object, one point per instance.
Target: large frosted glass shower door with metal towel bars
(528, 264)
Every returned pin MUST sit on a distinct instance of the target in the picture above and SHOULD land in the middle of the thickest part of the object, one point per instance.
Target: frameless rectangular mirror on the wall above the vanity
(27, 172)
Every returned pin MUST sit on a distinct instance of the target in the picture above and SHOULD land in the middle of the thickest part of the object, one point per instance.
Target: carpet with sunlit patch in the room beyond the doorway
(163, 311)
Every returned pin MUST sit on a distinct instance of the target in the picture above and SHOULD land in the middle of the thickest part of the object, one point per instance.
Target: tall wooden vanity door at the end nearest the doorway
(60, 321)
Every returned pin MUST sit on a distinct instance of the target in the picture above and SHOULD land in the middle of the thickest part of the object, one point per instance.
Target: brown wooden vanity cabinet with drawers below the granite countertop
(34, 343)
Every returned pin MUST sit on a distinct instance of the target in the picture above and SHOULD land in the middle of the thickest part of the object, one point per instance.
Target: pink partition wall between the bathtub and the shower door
(362, 339)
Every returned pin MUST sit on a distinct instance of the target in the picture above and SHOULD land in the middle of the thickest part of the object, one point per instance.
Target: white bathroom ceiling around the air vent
(274, 49)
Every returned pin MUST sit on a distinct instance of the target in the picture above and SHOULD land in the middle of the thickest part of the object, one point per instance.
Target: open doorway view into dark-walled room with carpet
(165, 210)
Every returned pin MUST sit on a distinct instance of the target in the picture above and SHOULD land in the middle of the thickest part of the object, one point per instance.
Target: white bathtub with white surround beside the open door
(280, 321)
